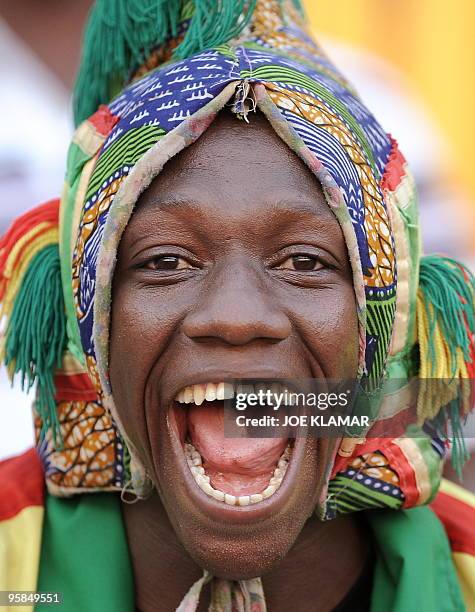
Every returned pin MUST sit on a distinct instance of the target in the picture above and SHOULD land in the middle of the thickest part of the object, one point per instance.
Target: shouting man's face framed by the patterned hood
(232, 266)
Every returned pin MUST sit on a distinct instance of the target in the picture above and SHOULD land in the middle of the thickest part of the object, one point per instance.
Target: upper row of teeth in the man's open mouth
(197, 394)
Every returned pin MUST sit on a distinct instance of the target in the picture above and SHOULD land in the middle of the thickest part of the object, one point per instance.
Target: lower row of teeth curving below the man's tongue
(193, 458)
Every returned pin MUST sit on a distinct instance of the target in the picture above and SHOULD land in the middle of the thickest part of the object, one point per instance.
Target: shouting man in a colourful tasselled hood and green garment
(232, 211)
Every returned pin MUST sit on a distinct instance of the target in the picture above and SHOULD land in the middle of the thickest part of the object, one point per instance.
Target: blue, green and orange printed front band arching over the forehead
(310, 104)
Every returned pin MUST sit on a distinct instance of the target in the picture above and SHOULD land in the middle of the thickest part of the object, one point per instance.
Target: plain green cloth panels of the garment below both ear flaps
(91, 565)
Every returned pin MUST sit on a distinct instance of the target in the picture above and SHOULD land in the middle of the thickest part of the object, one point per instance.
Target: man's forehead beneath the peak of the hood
(235, 166)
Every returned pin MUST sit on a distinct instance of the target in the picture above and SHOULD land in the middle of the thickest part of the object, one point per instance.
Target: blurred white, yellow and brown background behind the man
(412, 62)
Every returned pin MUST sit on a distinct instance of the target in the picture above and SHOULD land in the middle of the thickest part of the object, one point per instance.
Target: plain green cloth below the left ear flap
(85, 555)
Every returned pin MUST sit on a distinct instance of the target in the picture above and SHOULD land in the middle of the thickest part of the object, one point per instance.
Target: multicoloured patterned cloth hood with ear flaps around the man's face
(277, 68)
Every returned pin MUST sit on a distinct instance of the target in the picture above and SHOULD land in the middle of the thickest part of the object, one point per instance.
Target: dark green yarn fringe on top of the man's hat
(121, 34)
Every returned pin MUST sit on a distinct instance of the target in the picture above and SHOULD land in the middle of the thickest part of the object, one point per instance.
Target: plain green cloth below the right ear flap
(414, 568)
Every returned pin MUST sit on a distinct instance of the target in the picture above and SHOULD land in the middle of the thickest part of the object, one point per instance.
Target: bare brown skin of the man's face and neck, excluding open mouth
(232, 266)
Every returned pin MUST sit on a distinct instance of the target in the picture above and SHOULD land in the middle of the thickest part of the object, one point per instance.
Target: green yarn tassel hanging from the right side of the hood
(449, 287)
